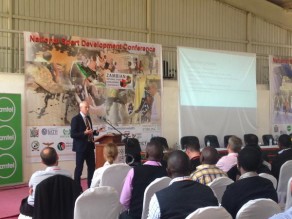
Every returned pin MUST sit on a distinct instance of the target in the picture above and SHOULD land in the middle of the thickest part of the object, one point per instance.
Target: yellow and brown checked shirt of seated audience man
(206, 173)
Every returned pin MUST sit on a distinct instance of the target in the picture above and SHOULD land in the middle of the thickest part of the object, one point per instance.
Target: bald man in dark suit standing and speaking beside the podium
(83, 144)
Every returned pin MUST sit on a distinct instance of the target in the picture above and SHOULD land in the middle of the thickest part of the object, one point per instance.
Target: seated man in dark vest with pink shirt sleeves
(139, 178)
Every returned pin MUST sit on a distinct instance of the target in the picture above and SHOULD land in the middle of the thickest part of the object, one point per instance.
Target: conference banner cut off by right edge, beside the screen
(280, 74)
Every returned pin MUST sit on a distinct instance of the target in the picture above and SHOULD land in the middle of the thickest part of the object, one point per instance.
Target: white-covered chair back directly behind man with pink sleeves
(155, 186)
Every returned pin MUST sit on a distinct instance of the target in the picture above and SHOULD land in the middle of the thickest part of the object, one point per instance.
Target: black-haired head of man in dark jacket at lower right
(249, 159)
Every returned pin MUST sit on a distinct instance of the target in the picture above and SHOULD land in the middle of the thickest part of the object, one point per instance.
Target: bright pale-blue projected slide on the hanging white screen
(217, 78)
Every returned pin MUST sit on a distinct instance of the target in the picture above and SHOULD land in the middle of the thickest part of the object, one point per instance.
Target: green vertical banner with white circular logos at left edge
(10, 139)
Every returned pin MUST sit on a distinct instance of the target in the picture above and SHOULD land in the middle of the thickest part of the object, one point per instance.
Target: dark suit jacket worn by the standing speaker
(80, 140)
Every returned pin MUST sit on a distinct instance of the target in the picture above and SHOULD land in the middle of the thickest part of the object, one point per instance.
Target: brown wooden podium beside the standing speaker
(102, 141)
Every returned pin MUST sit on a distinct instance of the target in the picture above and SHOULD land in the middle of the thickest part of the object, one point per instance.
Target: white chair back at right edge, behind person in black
(284, 176)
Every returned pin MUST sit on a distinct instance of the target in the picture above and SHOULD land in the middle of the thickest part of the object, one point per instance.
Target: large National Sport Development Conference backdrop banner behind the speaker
(121, 80)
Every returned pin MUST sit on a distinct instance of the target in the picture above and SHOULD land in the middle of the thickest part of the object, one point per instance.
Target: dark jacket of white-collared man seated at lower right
(244, 190)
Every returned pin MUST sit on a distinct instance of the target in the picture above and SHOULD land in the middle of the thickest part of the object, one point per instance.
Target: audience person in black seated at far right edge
(284, 154)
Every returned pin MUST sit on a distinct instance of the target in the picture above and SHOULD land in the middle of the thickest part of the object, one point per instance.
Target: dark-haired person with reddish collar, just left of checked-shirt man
(193, 152)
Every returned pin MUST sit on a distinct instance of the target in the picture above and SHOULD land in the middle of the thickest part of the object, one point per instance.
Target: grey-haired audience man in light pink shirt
(228, 161)
